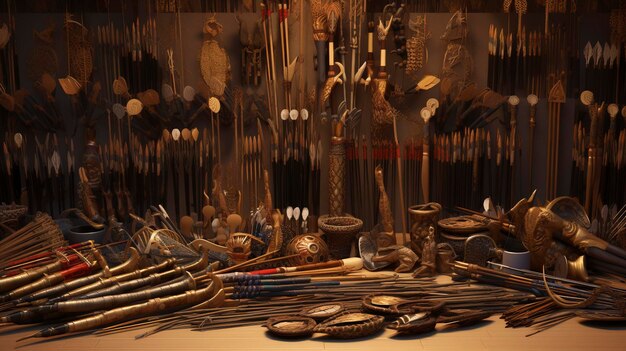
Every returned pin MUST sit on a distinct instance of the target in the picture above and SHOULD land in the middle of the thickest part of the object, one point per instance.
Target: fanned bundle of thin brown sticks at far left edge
(40, 235)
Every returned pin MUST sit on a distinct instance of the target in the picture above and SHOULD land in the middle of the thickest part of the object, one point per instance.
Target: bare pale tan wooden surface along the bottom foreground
(489, 335)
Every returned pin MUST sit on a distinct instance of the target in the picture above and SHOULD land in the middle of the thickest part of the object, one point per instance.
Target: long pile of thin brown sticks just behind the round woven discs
(348, 290)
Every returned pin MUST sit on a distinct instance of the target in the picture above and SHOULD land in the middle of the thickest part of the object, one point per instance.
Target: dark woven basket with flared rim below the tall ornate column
(340, 233)
